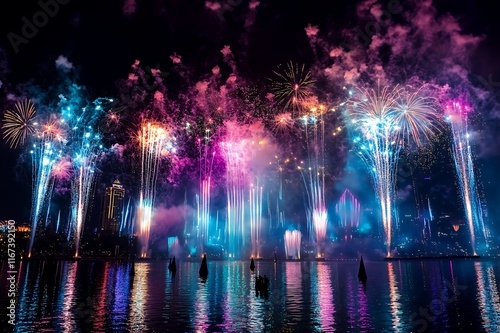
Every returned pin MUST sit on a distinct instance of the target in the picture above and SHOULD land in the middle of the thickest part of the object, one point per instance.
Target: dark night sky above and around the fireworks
(102, 41)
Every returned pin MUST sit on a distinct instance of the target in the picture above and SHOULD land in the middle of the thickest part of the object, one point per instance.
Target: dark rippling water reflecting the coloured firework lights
(418, 296)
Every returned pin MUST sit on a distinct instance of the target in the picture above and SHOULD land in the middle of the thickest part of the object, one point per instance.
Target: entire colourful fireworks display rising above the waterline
(240, 156)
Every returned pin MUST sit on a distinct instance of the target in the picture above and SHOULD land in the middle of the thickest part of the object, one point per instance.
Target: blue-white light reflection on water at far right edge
(488, 298)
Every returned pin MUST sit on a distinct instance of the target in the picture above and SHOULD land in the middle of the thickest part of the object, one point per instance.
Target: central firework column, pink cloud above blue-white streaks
(246, 151)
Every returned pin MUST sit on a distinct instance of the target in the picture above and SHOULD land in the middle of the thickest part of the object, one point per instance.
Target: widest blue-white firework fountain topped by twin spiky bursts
(384, 121)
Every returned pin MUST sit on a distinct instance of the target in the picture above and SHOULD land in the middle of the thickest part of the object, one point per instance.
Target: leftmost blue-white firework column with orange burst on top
(45, 152)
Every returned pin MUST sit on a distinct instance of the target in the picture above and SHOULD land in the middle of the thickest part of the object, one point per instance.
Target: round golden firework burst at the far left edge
(18, 125)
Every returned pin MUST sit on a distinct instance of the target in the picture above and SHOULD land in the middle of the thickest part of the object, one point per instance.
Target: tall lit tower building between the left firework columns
(112, 208)
